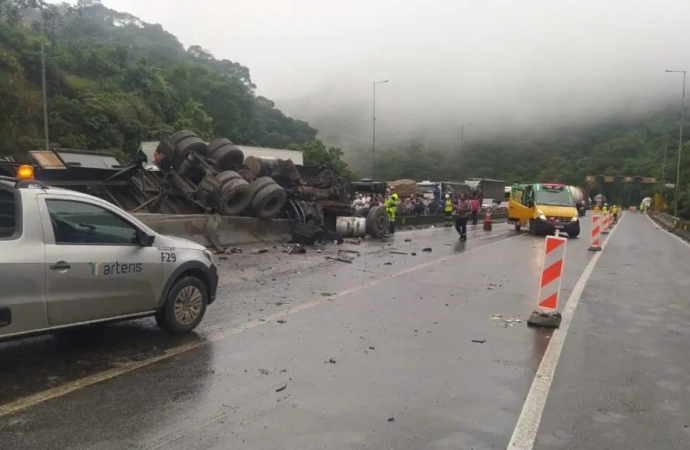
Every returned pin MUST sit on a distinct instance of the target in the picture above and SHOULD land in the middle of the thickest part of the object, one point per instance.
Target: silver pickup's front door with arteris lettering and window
(95, 267)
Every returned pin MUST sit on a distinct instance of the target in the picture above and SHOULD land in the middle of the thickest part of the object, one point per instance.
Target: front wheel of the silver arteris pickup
(184, 307)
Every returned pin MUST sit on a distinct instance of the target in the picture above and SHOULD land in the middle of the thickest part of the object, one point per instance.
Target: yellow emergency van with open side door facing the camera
(543, 209)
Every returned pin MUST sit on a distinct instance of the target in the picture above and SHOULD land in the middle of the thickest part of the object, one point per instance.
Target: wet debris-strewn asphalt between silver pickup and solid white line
(298, 353)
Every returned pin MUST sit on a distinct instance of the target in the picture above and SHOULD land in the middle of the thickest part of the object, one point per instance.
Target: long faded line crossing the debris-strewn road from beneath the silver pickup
(59, 391)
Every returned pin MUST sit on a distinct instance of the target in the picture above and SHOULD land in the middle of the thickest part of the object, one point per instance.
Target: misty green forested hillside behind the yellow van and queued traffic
(615, 147)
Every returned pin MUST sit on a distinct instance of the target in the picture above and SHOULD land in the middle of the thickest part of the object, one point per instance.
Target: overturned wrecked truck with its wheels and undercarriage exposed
(182, 174)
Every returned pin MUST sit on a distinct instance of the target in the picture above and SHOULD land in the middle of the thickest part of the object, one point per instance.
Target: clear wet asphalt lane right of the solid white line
(623, 381)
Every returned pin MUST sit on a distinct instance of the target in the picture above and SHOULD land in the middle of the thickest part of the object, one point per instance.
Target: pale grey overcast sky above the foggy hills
(448, 61)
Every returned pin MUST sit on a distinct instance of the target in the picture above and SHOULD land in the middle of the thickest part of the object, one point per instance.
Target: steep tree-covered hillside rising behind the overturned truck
(114, 81)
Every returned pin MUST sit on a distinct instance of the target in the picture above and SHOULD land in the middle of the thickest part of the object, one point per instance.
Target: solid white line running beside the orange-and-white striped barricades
(527, 425)
